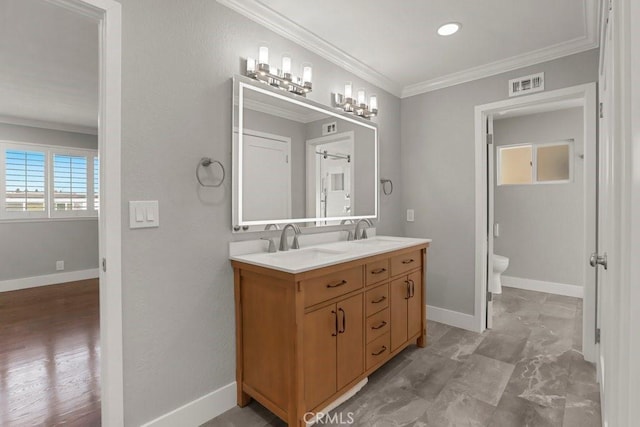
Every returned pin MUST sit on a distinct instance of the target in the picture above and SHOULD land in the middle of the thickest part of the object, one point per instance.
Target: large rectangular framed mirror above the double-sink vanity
(298, 161)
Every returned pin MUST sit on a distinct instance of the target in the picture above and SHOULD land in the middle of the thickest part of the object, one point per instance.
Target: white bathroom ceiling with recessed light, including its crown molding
(394, 44)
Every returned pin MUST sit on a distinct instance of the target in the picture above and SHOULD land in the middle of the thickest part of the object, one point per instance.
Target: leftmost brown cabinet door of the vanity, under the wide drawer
(320, 355)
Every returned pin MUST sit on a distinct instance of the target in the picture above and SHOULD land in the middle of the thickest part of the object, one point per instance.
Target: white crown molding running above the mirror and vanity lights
(267, 17)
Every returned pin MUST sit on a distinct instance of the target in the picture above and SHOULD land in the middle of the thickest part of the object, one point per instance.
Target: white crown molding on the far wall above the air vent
(498, 67)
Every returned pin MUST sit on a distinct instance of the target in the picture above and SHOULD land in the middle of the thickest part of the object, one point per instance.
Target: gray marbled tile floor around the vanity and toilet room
(526, 371)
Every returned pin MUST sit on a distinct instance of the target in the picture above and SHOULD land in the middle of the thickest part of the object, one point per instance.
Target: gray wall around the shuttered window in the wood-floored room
(30, 249)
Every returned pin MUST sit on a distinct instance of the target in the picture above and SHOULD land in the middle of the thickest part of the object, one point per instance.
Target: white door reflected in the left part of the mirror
(266, 176)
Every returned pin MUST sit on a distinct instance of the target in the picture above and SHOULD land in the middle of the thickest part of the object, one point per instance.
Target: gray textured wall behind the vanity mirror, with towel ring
(178, 318)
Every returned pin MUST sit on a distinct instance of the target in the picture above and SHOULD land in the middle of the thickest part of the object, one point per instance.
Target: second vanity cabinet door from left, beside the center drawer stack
(350, 340)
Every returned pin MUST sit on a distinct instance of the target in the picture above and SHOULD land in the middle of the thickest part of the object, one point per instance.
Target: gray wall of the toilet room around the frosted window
(542, 226)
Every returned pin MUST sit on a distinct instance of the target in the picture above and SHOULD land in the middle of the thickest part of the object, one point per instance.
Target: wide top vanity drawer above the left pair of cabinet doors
(331, 285)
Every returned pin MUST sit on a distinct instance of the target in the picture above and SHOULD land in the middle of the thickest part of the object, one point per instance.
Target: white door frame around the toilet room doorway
(587, 94)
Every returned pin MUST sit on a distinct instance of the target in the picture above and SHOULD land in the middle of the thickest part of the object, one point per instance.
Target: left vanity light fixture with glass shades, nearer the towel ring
(279, 77)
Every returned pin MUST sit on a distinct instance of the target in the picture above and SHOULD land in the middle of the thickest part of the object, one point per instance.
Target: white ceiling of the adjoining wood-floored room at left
(48, 66)
